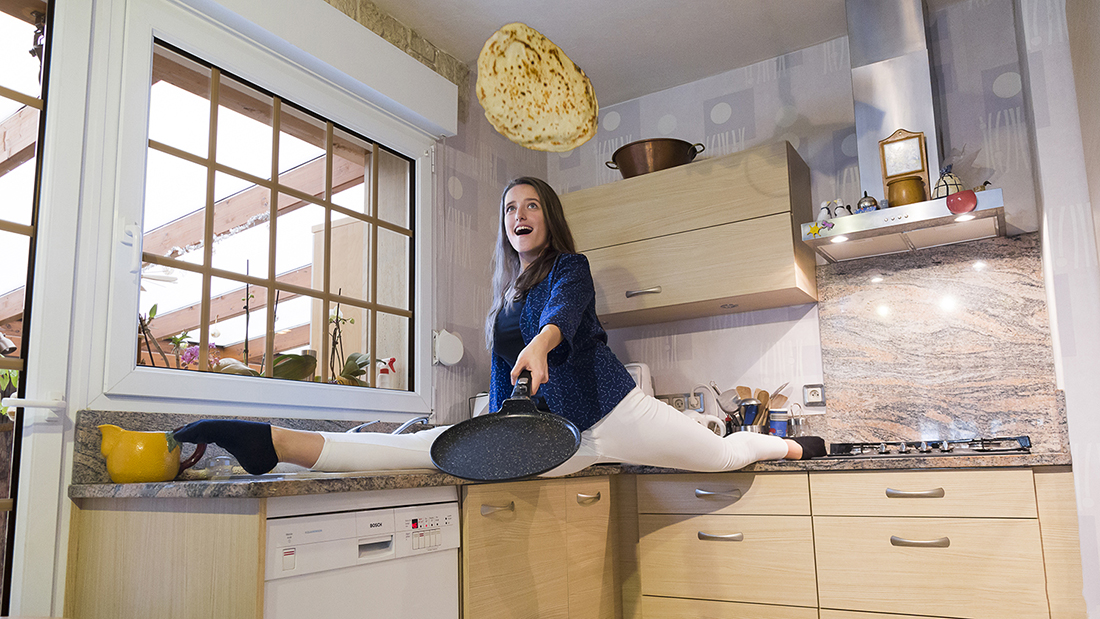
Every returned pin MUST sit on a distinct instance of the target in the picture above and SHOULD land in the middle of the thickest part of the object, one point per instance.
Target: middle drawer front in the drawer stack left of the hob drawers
(772, 563)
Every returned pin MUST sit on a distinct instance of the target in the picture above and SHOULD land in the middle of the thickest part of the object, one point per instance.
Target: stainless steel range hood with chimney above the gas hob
(892, 83)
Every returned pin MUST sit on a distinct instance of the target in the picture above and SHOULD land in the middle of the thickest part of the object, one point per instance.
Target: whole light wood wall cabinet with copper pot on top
(714, 237)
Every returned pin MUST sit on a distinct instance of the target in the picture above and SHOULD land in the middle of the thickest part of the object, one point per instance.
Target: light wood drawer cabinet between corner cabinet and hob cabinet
(727, 538)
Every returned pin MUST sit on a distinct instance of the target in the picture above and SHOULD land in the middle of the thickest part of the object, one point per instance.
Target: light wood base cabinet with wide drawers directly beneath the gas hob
(951, 544)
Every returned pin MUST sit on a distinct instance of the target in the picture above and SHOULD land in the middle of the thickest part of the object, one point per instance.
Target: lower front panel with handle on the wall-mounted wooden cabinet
(714, 263)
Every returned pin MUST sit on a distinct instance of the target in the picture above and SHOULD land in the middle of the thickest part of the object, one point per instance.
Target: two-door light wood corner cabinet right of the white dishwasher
(538, 549)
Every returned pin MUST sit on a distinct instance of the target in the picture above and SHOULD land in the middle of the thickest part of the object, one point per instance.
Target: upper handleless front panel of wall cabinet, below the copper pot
(707, 193)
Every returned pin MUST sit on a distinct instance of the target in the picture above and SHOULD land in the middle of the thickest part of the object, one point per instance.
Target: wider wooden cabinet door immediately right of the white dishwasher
(514, 554)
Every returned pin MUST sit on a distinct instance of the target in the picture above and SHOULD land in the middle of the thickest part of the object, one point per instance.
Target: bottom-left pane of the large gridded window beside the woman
(172, 297)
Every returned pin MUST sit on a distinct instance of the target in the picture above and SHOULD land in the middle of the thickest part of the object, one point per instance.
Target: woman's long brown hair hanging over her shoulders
(511, 282)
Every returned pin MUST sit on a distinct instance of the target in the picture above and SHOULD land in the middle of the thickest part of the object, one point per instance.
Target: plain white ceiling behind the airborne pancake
(634, 48)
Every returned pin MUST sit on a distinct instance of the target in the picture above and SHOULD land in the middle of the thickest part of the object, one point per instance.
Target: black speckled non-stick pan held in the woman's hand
(515, 443)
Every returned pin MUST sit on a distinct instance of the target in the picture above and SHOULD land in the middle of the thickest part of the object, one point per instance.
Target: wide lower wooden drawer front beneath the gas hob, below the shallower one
(989, 569)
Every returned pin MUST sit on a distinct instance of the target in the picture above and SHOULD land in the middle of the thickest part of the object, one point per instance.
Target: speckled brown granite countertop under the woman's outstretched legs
(310, 483)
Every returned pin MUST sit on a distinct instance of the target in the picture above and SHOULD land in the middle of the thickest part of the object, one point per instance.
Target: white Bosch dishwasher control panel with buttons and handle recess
(307, 545)
